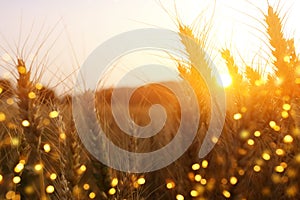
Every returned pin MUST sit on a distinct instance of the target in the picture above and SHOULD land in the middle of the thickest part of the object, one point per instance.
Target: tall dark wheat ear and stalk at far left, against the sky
(30, 118)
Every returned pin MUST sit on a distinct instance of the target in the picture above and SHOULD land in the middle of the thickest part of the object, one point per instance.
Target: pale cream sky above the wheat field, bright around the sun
(77, 27)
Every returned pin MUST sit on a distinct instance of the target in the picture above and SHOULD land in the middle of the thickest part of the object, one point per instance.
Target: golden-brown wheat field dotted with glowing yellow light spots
(256, 157)
